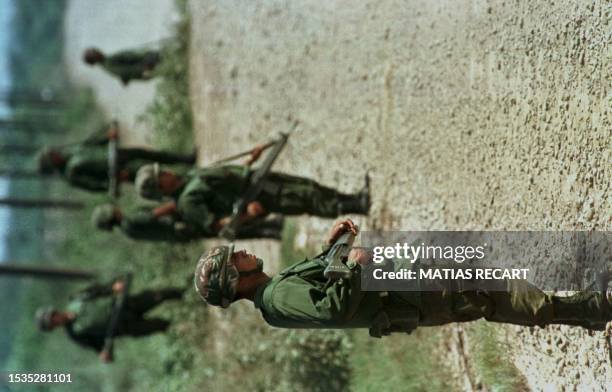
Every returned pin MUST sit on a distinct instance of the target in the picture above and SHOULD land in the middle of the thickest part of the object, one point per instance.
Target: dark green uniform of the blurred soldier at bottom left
(93, 309)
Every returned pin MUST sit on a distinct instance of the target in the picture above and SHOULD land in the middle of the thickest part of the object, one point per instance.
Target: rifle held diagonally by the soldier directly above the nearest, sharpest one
(257, 182)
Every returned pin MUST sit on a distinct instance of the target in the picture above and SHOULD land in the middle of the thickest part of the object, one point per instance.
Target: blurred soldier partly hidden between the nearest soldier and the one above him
(155, 224)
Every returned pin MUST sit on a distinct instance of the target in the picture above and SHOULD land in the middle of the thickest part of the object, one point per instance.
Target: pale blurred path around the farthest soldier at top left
(114, 25)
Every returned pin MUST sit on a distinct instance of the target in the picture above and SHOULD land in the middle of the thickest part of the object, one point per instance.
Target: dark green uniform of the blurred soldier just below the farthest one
(87, 162)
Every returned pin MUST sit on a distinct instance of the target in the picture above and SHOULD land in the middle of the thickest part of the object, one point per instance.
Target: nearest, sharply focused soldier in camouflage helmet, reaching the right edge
(300, 296)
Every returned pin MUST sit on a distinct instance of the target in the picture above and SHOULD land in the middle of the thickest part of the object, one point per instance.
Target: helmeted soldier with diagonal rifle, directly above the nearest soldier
(205, 197)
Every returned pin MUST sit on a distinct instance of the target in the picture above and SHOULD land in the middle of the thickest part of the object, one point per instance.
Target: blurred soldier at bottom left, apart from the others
(87, 316)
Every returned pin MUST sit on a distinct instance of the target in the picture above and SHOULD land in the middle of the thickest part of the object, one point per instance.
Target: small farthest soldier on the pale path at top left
(127, 65)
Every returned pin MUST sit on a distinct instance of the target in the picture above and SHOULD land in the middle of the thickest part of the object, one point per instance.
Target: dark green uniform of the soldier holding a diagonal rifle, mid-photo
(209, 194)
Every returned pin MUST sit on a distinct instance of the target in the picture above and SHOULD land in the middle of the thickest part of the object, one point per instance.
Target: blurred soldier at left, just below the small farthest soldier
(85, 165)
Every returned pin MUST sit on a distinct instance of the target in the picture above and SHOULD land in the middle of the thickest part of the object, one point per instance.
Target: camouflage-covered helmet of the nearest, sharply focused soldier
(216, 278)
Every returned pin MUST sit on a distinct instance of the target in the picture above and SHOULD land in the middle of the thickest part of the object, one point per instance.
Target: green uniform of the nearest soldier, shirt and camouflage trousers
(300, 297)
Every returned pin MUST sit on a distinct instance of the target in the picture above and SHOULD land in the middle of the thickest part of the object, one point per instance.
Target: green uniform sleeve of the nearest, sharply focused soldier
(300, 303)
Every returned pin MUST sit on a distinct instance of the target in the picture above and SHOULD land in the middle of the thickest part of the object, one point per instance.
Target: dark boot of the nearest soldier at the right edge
(588, 309)
